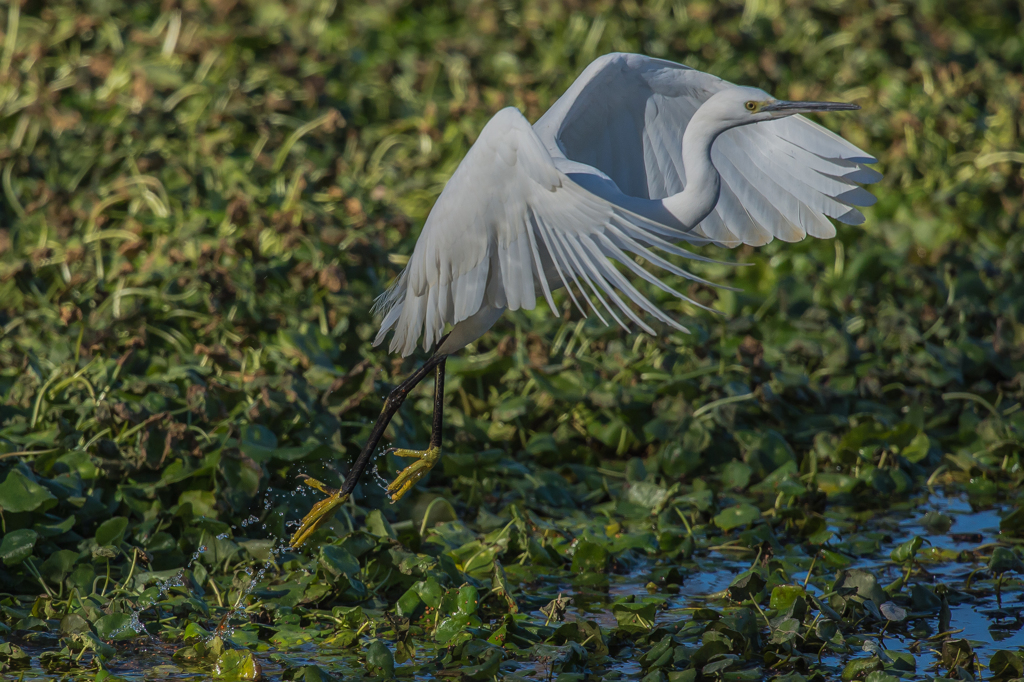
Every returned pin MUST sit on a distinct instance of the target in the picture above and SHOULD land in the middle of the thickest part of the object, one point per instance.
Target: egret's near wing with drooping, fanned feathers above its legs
(509, 225)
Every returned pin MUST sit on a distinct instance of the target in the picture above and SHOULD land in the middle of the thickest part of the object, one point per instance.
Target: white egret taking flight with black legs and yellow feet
(638, 156)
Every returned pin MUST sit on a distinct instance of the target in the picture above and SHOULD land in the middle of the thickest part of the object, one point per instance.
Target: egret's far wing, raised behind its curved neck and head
(626, 115)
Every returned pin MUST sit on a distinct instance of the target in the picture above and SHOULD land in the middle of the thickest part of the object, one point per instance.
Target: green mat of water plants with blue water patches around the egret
(200, 202)
